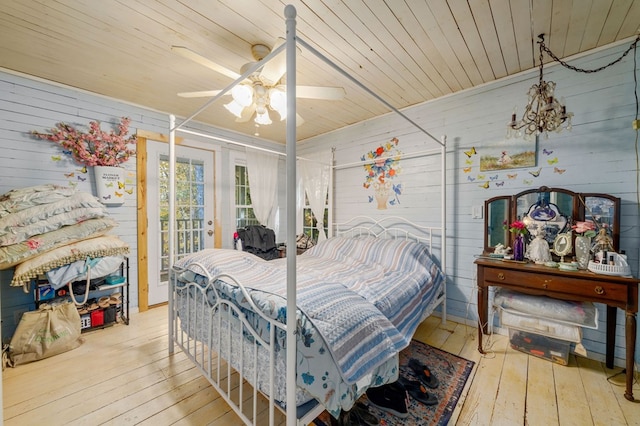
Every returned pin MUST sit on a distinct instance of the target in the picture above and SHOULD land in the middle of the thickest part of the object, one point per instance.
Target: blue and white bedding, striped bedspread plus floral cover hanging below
(359, 299)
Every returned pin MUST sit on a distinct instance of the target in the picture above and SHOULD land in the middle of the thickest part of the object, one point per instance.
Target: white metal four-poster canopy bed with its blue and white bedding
(233, 313)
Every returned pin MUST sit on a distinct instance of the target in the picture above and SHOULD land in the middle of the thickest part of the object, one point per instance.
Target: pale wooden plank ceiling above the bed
(407, 51)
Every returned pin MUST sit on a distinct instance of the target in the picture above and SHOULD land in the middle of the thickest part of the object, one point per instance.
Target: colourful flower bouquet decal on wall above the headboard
(381, 167)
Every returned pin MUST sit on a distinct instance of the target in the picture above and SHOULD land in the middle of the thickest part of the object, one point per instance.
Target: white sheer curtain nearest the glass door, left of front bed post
(262, 168)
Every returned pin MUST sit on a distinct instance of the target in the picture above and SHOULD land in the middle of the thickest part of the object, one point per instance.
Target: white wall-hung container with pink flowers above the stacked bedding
(104, 151)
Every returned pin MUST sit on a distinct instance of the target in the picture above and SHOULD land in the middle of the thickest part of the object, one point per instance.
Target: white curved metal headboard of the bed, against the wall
(387, 227)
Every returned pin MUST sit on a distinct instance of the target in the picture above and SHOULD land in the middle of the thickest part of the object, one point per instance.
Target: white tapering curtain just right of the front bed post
(315, 171)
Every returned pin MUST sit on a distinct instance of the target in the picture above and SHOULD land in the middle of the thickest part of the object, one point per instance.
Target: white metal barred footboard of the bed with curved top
(217, 337)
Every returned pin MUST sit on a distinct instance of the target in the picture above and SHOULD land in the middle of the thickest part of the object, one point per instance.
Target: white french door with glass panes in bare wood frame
(194, 206)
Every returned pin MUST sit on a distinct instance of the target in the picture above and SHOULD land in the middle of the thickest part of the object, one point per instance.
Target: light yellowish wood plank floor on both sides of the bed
(123, 375)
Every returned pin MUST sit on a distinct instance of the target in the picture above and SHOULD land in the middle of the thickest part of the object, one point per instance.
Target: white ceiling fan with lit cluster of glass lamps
(263, 90)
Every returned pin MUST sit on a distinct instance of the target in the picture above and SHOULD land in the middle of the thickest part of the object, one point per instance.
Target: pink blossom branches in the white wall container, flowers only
(95, 148)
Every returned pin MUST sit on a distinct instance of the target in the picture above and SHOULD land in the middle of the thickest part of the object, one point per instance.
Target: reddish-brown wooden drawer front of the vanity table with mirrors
(578, 286)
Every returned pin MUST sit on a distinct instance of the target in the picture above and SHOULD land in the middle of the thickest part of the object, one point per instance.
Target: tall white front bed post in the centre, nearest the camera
(290, 15)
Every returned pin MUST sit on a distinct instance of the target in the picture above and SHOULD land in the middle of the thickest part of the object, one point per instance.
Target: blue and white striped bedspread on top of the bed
(365, 296)
